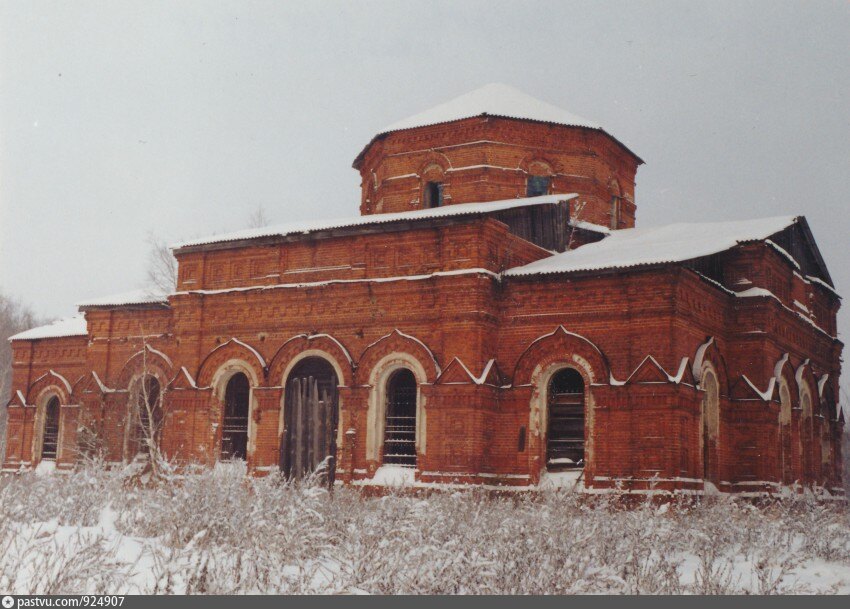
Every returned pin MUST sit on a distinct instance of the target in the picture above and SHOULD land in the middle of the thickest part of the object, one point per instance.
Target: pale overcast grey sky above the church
(181, 118)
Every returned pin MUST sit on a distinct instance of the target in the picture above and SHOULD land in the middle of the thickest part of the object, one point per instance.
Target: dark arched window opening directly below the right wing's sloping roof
(565, 427)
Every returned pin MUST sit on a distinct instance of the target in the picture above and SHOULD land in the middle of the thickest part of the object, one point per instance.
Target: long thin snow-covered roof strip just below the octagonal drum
(310, 226)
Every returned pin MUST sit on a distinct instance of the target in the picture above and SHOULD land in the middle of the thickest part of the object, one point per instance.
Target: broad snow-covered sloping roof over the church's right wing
(663, 244)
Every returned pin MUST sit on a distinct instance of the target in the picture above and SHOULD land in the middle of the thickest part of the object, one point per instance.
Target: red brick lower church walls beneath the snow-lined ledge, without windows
(646, 428)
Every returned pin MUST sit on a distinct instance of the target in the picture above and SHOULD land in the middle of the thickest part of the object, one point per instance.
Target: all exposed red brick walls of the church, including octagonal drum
(483, 347)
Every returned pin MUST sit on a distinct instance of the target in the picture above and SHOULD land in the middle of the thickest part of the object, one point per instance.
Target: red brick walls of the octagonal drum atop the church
(488, 159)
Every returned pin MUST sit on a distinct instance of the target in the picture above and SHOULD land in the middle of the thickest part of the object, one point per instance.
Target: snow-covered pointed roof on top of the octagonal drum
(494, 99)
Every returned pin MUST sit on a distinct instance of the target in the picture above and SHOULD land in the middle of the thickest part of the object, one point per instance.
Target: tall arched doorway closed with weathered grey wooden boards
(310, 418)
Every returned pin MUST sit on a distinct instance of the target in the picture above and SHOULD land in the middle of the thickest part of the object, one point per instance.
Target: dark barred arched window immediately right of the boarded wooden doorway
(400, 427)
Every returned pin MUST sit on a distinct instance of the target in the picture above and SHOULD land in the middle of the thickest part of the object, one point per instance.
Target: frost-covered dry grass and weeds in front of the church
(218, 532)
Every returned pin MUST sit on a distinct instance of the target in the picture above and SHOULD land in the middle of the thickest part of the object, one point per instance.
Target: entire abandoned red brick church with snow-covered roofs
(491, 317)
